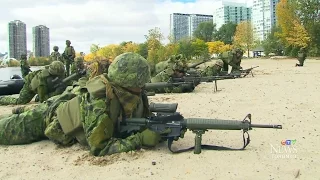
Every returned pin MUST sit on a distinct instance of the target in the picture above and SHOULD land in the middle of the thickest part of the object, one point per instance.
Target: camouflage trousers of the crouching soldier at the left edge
(25, 96)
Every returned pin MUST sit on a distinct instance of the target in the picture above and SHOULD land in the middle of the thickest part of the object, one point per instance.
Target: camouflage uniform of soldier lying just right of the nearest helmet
(166, 75)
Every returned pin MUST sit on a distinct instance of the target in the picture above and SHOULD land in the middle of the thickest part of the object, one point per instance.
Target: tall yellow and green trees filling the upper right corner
(297, 25)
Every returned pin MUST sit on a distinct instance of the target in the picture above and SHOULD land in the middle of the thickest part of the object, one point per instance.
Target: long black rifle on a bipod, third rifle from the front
(198, 79)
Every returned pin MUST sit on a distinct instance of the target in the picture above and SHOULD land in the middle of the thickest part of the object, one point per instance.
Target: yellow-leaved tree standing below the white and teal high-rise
(244, 37)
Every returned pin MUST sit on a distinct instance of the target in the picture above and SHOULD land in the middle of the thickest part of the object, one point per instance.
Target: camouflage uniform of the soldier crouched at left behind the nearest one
(38, 82)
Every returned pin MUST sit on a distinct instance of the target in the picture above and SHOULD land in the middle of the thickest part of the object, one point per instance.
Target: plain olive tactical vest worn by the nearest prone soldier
(68, 114)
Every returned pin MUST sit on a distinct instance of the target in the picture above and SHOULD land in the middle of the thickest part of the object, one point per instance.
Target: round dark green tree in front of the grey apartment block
(205, 31)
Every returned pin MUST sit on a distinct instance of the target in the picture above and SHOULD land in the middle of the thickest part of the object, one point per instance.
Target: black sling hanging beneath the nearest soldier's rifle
(212, 147)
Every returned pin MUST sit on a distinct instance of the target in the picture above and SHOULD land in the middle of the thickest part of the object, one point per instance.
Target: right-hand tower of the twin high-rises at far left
(41, 41)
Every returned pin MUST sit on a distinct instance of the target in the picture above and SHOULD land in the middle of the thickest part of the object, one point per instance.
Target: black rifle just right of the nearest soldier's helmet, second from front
(159, 86)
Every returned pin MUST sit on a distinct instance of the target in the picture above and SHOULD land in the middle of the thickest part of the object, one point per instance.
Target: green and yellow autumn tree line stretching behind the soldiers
(297, 25)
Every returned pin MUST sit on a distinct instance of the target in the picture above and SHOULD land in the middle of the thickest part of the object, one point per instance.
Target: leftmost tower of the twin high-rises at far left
(17, 39)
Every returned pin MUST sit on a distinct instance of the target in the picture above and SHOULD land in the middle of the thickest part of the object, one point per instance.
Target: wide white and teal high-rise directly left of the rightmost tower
(225, 12)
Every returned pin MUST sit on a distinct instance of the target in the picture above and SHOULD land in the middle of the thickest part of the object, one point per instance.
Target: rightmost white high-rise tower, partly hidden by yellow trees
(263, 17)
